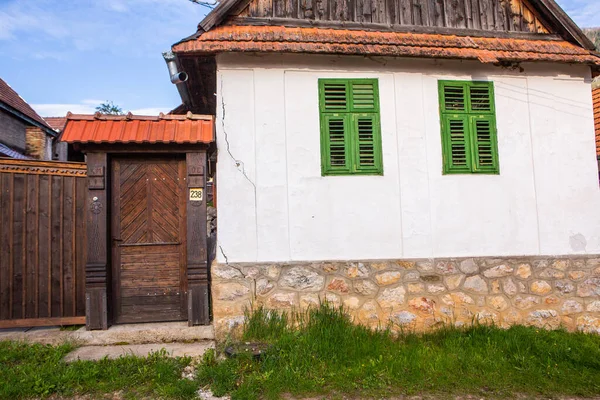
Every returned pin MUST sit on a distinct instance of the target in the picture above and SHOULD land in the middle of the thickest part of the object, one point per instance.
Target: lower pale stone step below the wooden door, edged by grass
(95, 353)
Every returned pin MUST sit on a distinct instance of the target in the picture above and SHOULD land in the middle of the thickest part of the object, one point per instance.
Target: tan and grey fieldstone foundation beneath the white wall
(546, 292)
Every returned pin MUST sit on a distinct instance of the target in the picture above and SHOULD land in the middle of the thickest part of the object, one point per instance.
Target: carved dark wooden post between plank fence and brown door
(97, 266)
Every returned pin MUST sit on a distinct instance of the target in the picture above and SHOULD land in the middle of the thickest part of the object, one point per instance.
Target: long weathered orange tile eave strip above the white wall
(275, 39)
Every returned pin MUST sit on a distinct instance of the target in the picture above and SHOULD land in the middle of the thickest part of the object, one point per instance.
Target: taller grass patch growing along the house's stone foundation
(326, 354)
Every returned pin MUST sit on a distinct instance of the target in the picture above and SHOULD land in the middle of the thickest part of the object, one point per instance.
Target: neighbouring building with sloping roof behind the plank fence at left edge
(23, 133)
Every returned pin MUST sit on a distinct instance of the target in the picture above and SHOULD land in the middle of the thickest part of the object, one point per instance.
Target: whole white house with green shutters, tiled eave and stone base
(416, 161)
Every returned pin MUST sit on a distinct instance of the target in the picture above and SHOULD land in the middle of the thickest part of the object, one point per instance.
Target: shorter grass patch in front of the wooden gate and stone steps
(37, 371)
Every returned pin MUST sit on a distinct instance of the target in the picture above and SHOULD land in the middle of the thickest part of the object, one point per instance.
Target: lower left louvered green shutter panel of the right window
(456, 146)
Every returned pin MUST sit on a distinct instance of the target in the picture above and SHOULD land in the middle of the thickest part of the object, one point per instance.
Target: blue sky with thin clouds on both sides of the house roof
(70, 55)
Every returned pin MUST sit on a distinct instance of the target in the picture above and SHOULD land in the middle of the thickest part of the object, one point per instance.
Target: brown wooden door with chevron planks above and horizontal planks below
(148, 231)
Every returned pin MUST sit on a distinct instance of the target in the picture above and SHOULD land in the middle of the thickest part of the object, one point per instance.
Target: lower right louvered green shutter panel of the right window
(484, 143)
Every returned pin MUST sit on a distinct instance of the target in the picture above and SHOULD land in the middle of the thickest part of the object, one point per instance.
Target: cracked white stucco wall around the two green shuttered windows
(274, 205)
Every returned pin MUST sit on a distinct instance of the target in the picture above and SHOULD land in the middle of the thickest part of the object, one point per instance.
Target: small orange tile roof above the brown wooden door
(100, 128)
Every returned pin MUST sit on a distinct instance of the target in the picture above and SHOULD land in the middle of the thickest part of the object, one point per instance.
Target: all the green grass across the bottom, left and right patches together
(320, 352)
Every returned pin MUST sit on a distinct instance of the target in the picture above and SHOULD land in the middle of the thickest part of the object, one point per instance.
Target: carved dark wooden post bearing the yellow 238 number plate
(197, 265)
